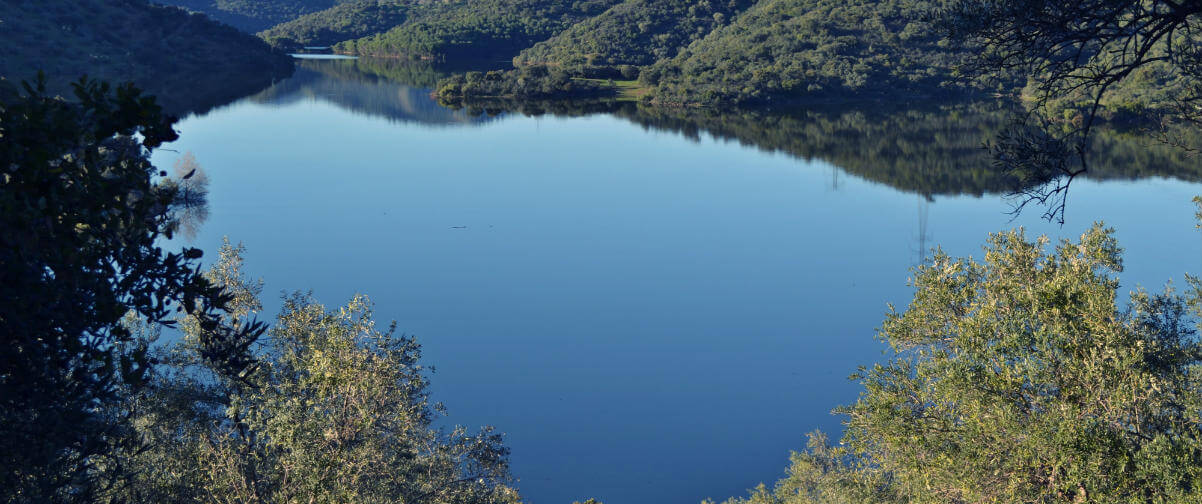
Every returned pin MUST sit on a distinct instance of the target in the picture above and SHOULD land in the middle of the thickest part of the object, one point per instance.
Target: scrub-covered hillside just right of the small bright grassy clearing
(807, 49)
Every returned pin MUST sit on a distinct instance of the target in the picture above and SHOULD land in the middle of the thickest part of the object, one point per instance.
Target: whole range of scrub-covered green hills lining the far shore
(674, 52)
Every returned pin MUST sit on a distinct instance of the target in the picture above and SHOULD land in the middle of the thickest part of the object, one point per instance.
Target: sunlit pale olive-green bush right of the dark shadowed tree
(337, 412)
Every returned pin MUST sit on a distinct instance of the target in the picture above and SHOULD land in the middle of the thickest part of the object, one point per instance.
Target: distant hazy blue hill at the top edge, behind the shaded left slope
(253, 16)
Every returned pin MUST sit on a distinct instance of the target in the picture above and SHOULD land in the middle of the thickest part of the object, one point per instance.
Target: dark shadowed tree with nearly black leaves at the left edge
(81, 214)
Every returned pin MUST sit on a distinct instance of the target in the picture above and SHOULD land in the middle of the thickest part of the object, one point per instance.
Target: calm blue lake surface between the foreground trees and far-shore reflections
(650, 318)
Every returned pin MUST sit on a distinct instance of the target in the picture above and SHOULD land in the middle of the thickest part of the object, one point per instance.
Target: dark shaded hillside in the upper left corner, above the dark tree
(186, 60)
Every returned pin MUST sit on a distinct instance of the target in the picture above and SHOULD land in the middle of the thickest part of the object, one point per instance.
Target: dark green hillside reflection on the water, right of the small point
(924, 150)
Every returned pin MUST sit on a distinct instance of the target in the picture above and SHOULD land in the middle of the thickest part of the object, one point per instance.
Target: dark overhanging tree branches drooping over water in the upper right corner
(1079, 55)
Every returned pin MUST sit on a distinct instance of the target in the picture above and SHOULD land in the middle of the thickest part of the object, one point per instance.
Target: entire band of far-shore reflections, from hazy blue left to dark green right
(930, 151)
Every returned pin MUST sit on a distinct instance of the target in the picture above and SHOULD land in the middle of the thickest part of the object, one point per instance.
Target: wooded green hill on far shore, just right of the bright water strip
(484, 29)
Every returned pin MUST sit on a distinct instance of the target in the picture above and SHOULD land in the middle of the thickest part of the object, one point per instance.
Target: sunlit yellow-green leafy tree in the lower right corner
(1021, 380)
